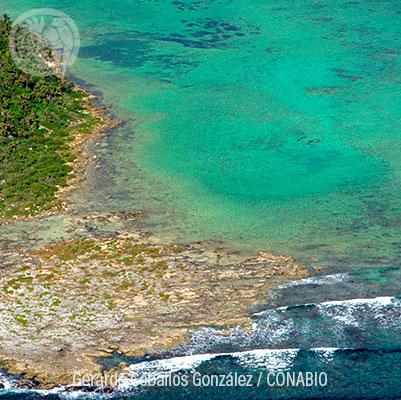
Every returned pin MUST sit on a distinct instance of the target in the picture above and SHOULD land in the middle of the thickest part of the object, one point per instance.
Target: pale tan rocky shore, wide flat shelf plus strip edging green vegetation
(65, 304)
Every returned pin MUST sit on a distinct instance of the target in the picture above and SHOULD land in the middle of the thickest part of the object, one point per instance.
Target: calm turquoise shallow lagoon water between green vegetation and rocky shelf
(273, 125)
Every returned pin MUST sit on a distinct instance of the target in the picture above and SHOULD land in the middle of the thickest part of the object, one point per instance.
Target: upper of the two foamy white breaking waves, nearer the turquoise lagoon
(276, 326)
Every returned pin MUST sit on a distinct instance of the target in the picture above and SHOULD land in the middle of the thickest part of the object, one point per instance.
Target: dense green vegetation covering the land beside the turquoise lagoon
(39, 118)
